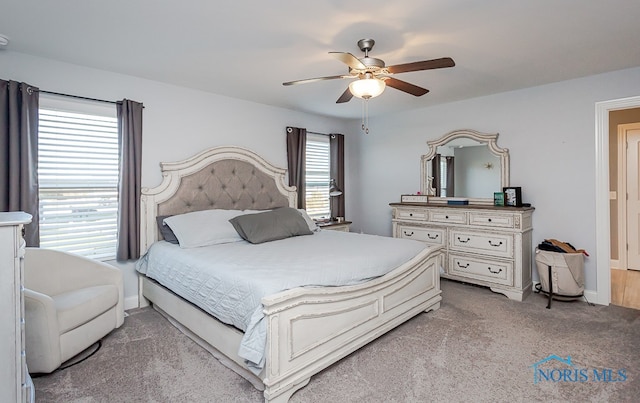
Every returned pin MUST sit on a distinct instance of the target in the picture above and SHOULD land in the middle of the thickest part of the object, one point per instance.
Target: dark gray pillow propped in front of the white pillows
(271, 225)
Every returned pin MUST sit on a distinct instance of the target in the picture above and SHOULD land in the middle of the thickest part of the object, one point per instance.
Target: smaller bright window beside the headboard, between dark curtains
(317, 176)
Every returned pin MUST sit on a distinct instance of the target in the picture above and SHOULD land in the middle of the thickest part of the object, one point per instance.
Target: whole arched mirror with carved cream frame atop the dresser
(465, 163)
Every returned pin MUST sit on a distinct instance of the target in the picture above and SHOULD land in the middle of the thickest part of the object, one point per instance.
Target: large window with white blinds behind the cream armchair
(78, 178)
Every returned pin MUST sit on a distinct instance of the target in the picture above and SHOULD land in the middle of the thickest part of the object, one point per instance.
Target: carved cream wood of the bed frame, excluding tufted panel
(308, 329)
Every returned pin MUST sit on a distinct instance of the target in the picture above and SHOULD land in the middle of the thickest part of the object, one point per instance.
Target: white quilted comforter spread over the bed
(229, 280)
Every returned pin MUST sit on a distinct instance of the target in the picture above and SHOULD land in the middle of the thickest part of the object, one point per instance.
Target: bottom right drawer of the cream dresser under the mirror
(496, 272)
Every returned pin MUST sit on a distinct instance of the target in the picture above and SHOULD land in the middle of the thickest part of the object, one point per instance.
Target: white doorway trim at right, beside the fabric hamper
(603, 224)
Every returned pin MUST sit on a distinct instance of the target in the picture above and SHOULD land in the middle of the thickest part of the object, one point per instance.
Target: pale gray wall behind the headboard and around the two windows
(178, 122)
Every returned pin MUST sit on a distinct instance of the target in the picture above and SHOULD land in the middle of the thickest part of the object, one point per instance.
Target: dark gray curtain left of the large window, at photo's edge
(19, 153)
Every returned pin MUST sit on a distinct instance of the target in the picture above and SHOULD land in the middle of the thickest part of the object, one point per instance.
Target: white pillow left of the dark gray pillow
(206, 227)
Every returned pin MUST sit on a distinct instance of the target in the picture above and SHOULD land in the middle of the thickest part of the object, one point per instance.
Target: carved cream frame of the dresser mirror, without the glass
(484, 138)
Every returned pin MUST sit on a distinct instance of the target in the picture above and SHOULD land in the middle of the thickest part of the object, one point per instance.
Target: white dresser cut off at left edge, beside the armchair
(15, 383)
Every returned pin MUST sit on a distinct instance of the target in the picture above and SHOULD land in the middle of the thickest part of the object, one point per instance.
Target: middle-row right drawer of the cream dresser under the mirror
(486, 243)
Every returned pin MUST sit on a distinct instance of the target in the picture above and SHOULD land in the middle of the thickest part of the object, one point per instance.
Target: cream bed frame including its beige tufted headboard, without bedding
(306, 328)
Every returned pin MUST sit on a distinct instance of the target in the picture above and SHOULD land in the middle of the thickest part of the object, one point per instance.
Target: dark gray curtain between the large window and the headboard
(129, 181)
